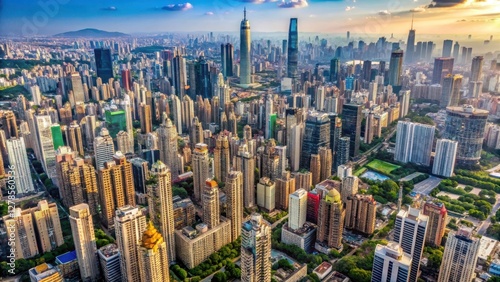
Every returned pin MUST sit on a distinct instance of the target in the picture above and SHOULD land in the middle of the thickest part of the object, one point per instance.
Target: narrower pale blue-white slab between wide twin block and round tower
(444, 161)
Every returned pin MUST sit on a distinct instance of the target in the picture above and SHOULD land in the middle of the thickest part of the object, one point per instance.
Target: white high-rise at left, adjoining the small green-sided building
(46, 144)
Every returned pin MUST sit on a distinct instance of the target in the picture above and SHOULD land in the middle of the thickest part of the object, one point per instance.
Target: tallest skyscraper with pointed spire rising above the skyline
(245, 51)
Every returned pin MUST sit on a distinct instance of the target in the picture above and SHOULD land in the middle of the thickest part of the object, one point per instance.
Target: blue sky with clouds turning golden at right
(48, 17)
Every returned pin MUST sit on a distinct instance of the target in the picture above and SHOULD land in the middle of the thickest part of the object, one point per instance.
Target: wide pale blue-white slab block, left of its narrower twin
(414, 143)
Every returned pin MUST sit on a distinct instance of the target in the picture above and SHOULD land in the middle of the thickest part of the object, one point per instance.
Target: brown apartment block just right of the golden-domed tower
(360, 213)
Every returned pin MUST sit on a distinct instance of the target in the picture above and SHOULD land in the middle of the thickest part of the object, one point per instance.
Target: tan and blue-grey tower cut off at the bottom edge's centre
(256, 250)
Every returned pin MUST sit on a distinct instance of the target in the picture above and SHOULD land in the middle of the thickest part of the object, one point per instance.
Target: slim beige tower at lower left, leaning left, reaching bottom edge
(82, 229)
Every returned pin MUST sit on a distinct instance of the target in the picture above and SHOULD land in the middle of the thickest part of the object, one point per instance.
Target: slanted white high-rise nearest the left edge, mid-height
(19, 160)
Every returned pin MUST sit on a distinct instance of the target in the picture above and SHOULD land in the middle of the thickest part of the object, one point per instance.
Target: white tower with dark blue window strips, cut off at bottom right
(391, 264)
